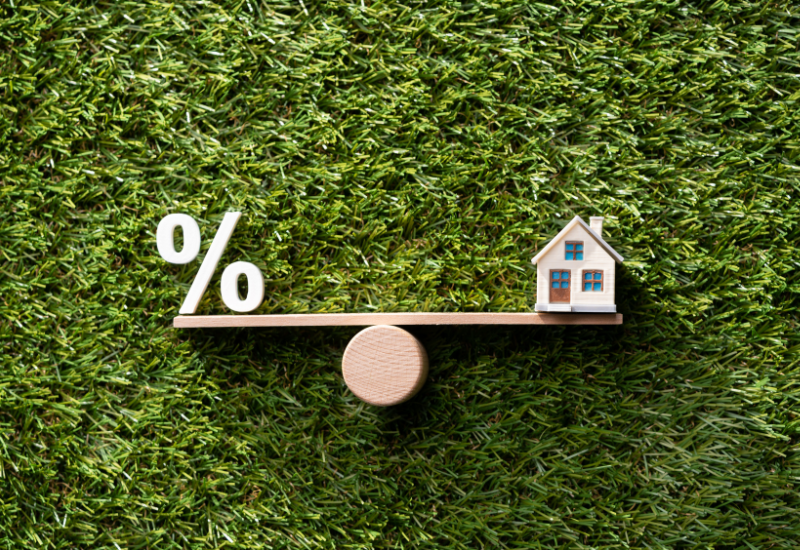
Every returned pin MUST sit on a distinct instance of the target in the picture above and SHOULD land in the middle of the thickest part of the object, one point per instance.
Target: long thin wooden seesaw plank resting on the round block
(415, 318)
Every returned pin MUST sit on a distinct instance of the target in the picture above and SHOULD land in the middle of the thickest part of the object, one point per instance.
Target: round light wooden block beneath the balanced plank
(384, 365)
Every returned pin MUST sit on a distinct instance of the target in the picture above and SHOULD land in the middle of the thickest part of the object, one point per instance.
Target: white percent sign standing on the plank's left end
(229, 285)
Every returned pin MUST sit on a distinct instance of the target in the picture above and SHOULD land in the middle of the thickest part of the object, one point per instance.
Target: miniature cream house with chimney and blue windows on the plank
(576, 270)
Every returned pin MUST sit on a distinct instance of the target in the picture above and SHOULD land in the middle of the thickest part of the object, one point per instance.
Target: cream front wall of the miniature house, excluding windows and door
(594, 257)
